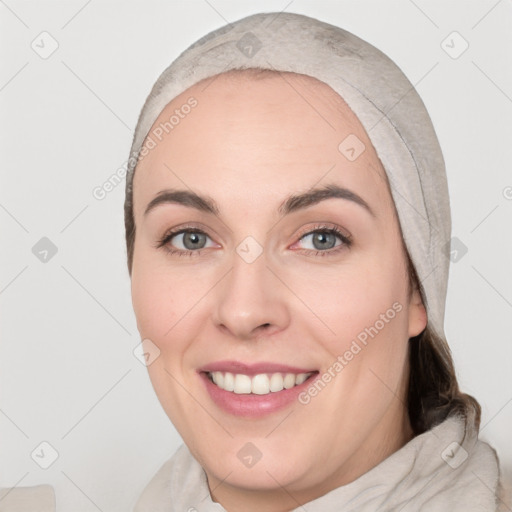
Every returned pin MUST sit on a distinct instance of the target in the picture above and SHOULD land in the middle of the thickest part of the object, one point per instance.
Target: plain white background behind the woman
(68, 375)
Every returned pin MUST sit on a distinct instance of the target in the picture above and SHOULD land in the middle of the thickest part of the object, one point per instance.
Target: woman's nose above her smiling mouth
(251, 301)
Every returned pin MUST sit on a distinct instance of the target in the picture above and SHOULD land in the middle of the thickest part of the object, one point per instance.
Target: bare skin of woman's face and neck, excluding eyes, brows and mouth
(249, 144)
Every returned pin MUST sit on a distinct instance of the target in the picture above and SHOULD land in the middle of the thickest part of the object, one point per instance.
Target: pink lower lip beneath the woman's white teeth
(252, 405)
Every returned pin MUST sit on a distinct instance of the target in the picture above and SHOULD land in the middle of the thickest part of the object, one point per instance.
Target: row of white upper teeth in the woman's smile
(261, 384)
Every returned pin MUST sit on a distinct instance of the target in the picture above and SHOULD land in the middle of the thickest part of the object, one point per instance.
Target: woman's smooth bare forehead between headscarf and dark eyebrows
(270, 134)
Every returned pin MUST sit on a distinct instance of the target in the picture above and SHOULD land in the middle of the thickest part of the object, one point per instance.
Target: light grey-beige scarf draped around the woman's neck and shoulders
(444, 469)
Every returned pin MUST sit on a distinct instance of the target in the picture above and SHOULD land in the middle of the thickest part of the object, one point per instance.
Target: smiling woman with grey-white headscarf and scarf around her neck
(287, 223)
